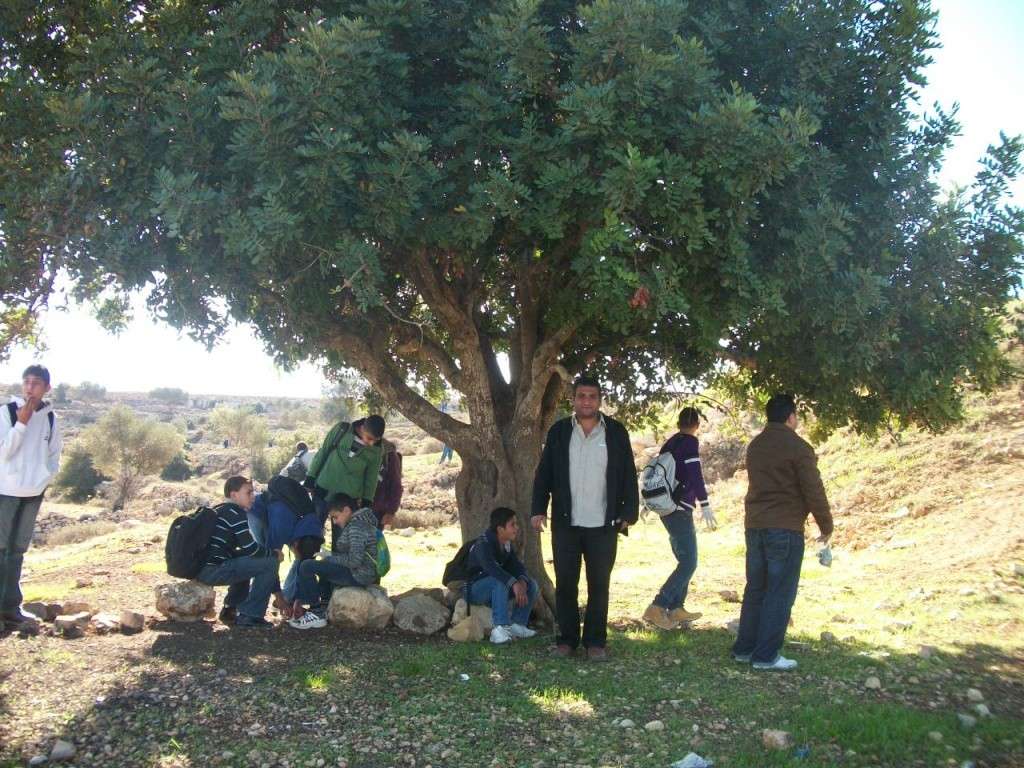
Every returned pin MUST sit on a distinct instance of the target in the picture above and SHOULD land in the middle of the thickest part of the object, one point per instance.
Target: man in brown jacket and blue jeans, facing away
(784, 488)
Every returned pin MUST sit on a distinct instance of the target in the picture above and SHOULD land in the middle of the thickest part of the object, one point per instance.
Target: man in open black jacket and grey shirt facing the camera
(588, 474)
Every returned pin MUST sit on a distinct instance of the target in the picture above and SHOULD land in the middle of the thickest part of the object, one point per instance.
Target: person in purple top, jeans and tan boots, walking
(667, 611)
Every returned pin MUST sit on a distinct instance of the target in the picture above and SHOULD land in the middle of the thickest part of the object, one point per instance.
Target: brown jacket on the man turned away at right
(785, 485)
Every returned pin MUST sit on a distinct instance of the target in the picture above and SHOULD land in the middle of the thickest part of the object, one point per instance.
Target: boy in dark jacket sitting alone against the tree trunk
(495, 574)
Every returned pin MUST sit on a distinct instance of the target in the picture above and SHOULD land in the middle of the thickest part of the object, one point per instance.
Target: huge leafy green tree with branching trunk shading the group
(644, 190)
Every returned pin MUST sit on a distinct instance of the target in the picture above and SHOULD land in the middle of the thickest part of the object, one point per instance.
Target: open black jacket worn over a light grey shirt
(552, 479)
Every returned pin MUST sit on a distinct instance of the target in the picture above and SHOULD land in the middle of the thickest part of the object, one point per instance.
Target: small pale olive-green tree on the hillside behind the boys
(127, 448)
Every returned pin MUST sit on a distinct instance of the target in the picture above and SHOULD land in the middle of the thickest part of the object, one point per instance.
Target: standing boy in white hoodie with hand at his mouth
(30, 457)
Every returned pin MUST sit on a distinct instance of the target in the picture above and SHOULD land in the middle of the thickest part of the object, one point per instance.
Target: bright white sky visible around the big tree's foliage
(980, 66)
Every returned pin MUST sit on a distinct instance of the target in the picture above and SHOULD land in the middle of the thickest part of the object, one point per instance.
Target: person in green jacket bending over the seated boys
(350, 463)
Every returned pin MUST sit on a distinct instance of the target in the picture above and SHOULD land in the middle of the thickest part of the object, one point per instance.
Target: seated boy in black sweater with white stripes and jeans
(236, 560)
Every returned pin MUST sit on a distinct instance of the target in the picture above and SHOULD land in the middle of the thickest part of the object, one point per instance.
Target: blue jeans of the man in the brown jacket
(774, 561)
